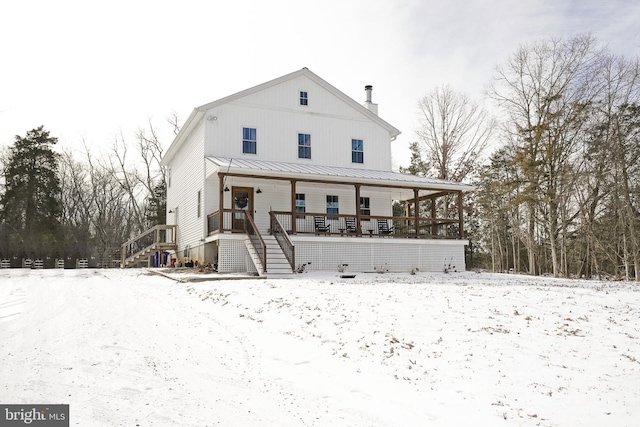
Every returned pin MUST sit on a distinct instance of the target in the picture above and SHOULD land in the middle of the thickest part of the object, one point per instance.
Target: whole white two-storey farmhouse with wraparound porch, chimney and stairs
(295, 173)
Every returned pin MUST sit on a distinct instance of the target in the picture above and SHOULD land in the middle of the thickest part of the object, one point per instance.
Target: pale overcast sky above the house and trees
(92, 70)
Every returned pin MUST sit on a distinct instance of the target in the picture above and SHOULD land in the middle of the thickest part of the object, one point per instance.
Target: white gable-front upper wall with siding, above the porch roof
(276, 115)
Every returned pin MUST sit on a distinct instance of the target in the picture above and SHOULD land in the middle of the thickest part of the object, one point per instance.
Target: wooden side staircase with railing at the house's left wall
(138, 250)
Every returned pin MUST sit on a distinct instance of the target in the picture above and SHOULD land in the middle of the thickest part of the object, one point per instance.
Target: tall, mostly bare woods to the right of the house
(560, 193)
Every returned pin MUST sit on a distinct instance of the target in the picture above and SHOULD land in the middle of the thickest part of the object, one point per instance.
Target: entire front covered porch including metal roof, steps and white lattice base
(275, 216)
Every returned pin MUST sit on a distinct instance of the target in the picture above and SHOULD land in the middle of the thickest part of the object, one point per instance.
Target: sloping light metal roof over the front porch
(330, 174)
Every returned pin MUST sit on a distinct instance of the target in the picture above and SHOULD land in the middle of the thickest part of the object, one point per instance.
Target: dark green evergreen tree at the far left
(31, 203)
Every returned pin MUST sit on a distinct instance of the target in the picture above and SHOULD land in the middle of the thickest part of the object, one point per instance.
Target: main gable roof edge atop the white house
(198, 113)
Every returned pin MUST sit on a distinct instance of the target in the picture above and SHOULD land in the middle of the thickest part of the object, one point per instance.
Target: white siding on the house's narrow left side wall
(187, 178)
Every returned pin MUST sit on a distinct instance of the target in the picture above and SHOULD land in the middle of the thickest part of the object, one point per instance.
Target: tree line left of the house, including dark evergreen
(54, 205)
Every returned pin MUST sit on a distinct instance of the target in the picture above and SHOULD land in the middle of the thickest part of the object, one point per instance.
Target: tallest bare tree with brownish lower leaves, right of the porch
(547, 89)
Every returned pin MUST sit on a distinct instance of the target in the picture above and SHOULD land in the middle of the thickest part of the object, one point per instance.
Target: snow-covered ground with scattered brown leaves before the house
(132, 348)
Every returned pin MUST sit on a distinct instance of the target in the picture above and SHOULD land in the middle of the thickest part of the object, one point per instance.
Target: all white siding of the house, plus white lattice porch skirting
(278, 117)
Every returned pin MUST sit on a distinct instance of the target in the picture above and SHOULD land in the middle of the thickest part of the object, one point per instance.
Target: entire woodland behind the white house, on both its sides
(559, 193)
